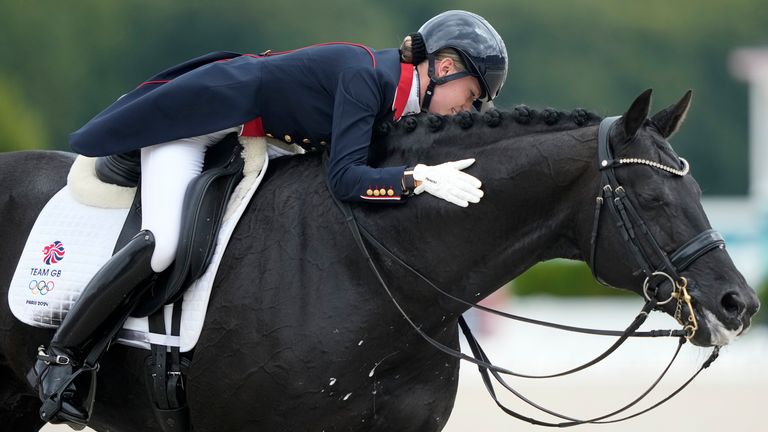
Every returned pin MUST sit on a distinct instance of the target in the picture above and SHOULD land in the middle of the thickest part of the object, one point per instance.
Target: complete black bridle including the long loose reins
(624, 212)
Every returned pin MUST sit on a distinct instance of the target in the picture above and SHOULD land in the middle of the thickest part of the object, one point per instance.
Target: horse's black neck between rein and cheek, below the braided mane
(538, 205)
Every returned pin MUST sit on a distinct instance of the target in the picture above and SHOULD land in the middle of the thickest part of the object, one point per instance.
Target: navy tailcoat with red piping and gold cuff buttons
(314, 96)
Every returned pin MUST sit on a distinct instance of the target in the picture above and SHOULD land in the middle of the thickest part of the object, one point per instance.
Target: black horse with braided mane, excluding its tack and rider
(301, 336)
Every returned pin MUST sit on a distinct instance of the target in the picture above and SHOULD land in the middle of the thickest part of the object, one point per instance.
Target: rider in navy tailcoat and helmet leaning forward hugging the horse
(310, 97)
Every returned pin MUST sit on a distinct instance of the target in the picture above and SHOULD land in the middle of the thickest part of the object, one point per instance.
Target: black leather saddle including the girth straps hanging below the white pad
(203, 209)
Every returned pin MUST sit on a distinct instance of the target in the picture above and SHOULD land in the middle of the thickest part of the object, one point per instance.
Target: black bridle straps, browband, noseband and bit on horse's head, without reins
(669, 266)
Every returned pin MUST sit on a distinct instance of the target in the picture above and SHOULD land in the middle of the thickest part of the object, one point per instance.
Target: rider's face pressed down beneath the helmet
(452, 97)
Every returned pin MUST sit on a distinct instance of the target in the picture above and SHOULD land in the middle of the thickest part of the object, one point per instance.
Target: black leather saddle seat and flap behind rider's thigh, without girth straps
(204, 204)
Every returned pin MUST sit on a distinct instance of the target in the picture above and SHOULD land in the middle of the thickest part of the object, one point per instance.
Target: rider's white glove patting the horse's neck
(446, 181)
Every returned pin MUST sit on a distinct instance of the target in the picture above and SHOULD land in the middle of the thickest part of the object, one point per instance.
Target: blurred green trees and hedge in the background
(63, 62)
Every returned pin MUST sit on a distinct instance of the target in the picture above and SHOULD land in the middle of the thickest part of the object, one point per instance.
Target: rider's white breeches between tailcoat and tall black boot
(166, 171)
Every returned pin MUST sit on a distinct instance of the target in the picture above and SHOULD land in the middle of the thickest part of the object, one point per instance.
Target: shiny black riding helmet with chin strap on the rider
(476, 41)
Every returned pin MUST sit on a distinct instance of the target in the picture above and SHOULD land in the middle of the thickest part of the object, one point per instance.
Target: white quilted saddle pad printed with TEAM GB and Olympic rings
(71, 241)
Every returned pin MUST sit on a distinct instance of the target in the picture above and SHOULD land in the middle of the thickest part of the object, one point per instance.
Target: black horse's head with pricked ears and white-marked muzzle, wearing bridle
(655, 183)
